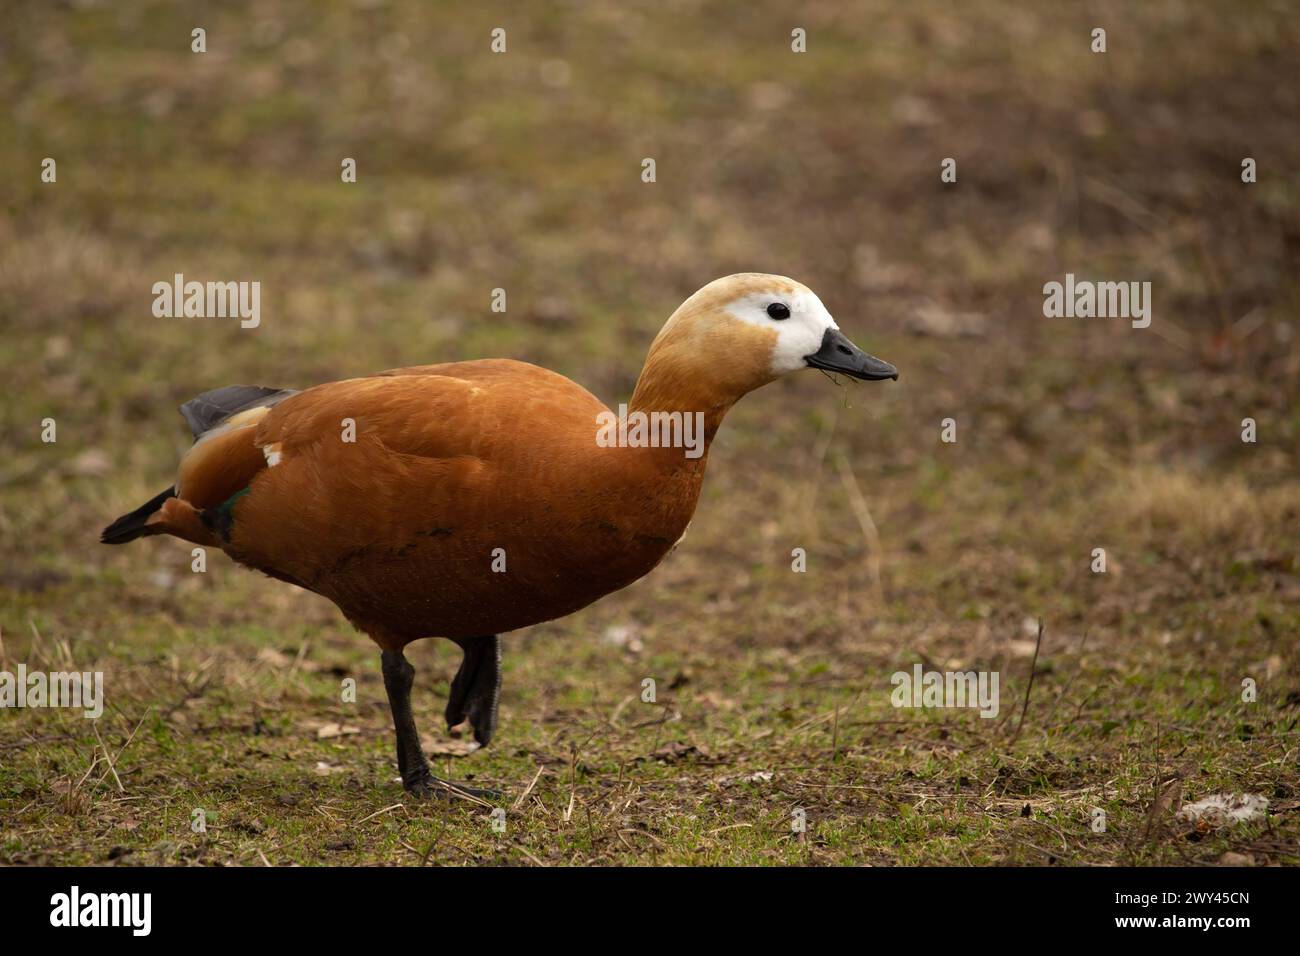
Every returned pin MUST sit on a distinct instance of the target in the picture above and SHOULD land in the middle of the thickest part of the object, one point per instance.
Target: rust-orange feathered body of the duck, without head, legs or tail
(453, 471)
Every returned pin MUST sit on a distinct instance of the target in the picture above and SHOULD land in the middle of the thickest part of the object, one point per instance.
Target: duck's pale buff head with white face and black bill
(742, 332)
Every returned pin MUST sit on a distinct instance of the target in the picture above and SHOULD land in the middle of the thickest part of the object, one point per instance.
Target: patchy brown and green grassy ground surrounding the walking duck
(522, 171)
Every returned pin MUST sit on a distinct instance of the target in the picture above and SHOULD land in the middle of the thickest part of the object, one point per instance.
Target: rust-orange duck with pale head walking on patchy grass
(473, 499)
